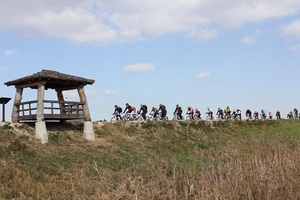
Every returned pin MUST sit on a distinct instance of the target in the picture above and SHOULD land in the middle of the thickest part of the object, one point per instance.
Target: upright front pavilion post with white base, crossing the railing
(40, 125)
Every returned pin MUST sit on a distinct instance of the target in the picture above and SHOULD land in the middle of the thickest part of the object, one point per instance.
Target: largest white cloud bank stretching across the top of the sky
(102, 21)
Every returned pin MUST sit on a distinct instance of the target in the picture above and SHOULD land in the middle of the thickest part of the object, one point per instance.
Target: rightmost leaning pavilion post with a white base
(88, 131)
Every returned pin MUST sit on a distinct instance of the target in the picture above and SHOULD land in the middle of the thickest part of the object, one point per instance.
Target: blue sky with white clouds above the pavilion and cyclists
(245, 54)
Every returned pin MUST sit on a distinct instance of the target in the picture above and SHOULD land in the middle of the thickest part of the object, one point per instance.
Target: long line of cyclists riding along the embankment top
(160, 113)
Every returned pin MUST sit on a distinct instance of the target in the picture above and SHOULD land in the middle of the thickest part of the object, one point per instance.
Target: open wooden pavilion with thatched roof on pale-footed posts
(41, 110)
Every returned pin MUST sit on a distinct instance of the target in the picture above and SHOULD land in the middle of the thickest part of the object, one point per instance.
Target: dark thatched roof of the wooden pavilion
(53, 79)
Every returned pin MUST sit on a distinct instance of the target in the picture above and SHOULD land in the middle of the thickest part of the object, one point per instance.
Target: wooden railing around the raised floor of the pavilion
(52, 110)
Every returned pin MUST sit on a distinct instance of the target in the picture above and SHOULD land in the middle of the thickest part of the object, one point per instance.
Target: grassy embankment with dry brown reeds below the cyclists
(154, 160)
